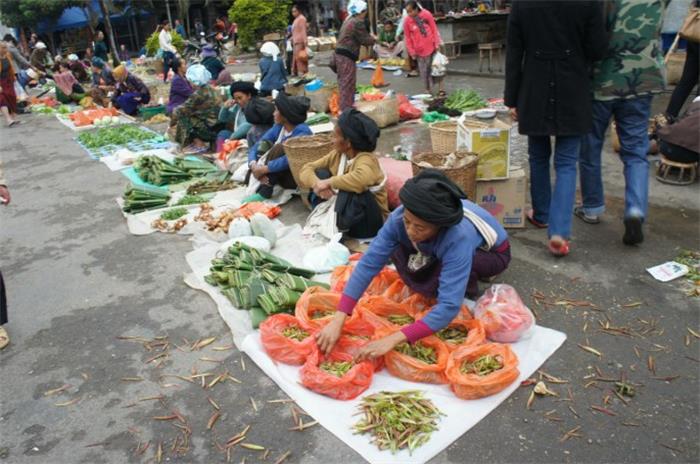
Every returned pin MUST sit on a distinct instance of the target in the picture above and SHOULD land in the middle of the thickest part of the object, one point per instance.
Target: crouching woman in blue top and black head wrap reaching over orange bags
(441, 245)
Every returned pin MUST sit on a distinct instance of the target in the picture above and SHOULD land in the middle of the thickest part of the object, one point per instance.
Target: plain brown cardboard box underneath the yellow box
(505, 199)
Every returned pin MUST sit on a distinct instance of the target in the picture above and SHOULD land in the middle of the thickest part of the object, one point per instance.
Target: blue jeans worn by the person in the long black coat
(554, 207)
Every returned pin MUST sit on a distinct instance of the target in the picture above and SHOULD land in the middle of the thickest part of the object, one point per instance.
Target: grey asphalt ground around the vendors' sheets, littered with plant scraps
(77, 280)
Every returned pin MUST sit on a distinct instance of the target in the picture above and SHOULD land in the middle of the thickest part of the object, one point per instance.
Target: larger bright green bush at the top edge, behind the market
(256, 18)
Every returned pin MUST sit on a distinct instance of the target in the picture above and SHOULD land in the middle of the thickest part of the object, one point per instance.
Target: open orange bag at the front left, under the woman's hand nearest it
(349, 386)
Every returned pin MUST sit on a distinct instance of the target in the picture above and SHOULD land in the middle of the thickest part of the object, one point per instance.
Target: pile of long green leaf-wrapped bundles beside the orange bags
(258, 281)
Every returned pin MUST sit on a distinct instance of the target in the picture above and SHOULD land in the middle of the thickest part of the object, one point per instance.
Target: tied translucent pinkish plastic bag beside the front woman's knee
(505, 317)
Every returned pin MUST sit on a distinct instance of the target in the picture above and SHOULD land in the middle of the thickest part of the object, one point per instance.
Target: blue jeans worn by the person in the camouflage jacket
(632, 120)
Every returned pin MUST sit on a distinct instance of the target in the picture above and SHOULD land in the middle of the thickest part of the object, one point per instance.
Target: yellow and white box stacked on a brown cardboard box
(491, 144)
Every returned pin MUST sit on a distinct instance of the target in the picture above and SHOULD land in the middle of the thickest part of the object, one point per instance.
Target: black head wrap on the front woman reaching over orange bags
(434, 198)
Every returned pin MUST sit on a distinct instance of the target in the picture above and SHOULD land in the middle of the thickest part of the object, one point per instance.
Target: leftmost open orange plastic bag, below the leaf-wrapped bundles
(283, 349)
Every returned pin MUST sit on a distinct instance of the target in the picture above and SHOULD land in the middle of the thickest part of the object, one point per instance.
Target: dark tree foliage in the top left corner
(29, 13)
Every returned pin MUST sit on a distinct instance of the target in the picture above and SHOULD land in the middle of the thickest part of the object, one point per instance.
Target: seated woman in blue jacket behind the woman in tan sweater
(266, 159)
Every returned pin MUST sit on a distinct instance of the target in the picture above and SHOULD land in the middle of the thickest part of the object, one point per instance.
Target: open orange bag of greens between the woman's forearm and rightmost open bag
(423, 361)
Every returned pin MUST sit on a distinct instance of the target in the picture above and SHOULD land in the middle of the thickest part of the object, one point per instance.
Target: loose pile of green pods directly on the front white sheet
(398, 420)
